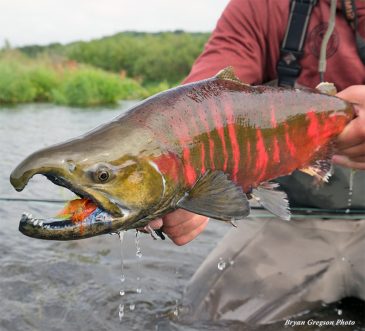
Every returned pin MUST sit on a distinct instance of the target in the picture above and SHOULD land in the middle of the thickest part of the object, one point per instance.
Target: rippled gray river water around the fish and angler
(48, 285)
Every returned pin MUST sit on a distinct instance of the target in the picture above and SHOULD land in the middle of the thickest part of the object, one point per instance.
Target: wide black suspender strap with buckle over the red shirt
(288, 67)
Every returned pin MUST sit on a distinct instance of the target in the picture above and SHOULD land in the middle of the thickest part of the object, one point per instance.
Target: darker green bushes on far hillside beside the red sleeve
(152, 57)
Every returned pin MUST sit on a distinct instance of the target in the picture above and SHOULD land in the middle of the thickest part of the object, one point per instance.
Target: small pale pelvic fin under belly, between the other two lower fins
(273, 200)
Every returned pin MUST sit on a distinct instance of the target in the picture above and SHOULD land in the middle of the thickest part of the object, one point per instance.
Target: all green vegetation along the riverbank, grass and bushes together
(128, 65)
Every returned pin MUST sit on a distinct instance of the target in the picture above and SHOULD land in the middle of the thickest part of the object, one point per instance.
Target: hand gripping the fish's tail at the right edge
(351, 142)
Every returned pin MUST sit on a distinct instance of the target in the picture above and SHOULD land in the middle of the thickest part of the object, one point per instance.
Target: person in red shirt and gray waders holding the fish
(278, 268)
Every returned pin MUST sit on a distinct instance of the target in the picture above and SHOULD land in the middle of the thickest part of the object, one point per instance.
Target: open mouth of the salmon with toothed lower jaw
(107, 217)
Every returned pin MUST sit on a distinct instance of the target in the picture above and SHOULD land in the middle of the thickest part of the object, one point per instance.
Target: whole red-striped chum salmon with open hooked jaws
(207, 147)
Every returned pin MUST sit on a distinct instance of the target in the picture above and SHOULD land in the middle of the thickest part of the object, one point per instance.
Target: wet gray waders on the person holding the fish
(270, 269)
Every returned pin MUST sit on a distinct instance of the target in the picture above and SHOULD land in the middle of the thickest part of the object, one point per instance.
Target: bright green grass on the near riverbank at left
(44, 80)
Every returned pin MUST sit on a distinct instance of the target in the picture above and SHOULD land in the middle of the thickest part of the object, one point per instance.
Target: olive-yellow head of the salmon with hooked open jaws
(123, 186)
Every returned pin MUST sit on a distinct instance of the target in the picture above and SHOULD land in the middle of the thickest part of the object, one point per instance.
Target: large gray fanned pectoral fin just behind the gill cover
(214, 195)
